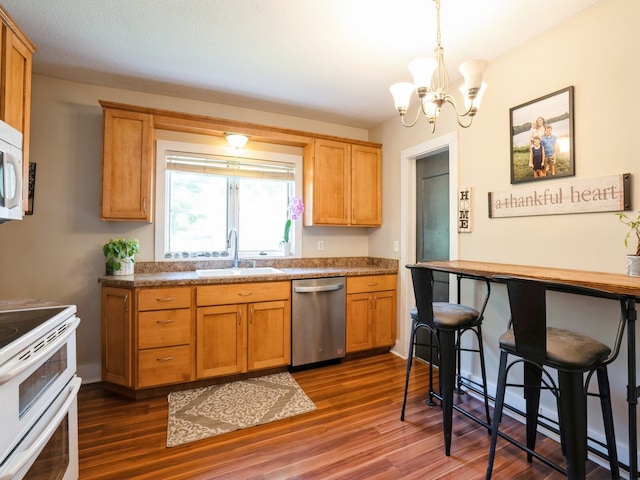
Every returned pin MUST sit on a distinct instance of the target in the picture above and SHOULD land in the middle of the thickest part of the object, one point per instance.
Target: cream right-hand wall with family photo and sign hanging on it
(594, 53)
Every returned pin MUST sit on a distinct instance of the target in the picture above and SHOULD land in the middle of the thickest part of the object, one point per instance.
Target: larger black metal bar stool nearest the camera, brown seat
(571, 354)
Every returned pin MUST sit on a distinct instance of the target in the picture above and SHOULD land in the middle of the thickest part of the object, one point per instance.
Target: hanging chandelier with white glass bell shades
(431, 84)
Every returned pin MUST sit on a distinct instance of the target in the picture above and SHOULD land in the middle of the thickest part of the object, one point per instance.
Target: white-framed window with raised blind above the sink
(202, 193)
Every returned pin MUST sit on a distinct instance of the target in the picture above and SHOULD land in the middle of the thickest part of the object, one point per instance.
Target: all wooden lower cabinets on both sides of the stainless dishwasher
(154, 337)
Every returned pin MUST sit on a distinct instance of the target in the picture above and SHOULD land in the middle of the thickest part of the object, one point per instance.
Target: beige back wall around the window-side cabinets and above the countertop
(56, 254)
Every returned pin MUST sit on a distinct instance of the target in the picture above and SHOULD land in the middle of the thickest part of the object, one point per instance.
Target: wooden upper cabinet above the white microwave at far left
(15, 86)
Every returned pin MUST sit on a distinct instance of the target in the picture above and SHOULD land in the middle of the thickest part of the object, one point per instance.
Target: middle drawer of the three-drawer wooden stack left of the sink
(164, 328)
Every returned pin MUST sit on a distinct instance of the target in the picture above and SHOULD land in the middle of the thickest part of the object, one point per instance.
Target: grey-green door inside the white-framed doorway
(432, 225)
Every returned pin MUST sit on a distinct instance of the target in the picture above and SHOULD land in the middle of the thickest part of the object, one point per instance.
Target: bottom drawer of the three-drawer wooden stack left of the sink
(160, 366)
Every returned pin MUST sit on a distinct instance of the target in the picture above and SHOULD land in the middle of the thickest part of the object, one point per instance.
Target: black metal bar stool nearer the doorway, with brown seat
(446, 322)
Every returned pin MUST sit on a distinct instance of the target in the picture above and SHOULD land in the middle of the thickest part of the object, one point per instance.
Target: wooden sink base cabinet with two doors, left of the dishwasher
(243, 337)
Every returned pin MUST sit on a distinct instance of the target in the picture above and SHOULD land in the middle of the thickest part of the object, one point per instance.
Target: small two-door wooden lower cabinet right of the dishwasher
(371, 312)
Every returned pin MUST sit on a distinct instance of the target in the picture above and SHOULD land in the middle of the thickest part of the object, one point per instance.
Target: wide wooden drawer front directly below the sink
(242, 293)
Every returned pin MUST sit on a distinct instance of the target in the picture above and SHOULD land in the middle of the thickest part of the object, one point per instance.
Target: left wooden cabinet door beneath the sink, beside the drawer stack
(221, 344)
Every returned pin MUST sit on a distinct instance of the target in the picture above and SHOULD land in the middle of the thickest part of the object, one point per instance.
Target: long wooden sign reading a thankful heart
(606, 194)
